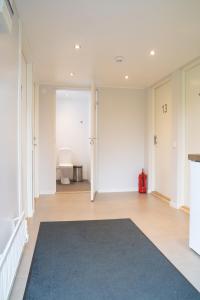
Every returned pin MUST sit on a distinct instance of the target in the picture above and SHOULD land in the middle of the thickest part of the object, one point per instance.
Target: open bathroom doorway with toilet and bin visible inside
(72, 141)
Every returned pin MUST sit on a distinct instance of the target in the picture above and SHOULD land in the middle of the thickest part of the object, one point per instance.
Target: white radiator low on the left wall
(10, 255)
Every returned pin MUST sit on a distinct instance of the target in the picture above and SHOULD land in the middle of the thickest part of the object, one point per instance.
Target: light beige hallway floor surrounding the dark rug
(166, 227)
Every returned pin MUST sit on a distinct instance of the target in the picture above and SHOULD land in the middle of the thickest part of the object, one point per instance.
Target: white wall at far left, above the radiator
(9, 101)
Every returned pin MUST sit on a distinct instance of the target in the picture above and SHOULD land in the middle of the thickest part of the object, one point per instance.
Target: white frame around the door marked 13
(177, 196)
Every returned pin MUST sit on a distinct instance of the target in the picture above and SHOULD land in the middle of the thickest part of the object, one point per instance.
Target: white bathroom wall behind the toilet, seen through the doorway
(72, 126)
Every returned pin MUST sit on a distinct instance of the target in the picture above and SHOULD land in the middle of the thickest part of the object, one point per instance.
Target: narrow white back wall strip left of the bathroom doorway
(47, 140)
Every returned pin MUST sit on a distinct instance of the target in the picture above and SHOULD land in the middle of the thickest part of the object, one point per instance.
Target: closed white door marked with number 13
(163, 139)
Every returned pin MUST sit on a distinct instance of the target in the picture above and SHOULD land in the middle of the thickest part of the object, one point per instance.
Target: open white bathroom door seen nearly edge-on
(93, 141)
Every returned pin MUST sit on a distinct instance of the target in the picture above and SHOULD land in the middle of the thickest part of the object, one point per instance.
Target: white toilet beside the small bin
(65, 165)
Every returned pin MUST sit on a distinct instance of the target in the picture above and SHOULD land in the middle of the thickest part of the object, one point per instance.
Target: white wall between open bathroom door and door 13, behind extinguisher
(121, 138)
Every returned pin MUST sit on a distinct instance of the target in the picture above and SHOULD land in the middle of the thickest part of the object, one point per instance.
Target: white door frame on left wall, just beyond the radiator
(29, 199)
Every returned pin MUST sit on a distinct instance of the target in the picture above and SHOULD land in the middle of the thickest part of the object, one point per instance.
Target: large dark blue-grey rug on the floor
(102, 260)
